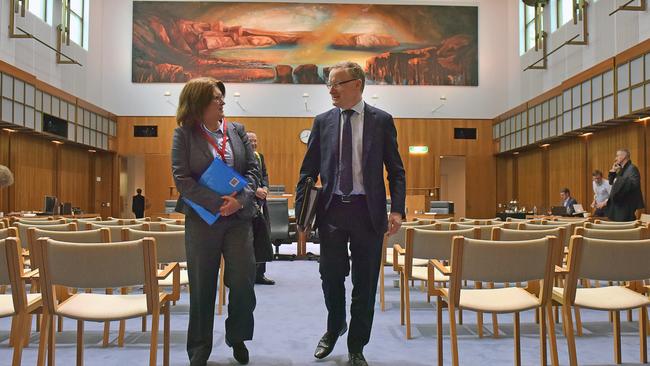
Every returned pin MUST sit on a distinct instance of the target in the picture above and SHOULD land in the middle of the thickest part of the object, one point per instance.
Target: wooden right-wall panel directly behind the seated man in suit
(567, 168)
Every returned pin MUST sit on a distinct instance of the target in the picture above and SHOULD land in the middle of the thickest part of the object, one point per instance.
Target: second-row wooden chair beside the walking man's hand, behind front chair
(423, 245)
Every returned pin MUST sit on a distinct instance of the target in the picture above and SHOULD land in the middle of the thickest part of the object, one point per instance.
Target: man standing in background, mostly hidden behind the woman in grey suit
(261, 227)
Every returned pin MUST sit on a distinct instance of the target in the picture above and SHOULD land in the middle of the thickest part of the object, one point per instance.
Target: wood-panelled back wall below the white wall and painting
(279, 142)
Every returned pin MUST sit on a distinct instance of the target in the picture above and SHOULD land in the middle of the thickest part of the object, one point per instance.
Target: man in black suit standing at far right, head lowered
(625, 197)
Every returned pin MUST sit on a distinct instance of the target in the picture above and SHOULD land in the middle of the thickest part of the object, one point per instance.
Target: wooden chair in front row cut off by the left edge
(19, 304)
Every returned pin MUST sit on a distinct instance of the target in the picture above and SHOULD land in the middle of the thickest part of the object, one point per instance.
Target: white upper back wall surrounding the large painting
(123, 97)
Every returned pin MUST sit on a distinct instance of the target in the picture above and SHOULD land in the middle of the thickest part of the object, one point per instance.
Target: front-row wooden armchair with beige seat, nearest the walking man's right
(490, 261)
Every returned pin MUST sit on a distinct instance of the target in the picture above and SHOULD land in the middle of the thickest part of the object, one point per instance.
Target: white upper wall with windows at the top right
(608, 36)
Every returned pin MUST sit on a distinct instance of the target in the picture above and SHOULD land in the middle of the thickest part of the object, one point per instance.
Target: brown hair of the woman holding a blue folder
(195, 97)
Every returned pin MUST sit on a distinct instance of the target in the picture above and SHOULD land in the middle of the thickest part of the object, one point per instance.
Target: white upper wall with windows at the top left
(34, 58)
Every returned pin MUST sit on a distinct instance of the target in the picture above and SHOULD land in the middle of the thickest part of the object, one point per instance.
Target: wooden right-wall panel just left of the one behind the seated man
(529, 179)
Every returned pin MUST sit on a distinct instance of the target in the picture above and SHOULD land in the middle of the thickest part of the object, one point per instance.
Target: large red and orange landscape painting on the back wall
(296, 43)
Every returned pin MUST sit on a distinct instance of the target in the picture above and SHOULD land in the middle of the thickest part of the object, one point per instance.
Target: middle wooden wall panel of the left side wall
(75, 177)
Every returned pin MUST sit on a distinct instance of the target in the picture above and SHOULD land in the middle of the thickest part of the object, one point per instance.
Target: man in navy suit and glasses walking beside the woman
(349, 147)
